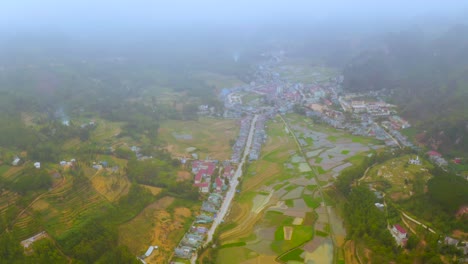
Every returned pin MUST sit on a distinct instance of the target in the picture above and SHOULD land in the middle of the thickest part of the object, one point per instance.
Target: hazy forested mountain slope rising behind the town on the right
(429, 79)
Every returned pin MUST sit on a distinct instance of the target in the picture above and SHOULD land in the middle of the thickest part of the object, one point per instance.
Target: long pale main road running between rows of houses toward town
(232, 189)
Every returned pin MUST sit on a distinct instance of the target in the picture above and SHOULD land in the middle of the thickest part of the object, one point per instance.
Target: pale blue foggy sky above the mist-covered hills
(101, 15)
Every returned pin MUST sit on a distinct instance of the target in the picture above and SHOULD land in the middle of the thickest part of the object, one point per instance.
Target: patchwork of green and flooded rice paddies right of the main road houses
(296, 225)
